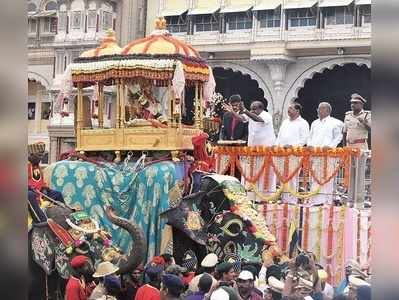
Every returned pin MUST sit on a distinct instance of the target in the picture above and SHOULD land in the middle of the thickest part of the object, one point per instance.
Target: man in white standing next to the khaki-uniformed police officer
(325, 132)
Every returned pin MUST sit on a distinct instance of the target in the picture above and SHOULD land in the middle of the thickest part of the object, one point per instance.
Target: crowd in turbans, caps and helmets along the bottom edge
(300, 278)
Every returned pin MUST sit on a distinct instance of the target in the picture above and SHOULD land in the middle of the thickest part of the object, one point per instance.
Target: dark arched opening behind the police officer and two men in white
(335, 86)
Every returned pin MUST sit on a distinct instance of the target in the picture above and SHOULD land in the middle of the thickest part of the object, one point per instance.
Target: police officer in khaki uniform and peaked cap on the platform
(357, 124)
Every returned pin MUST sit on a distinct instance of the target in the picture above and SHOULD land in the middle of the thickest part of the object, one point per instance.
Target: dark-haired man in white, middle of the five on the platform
(294, 131)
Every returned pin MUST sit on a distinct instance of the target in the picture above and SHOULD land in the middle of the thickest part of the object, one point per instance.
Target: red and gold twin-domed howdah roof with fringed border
(154, 57)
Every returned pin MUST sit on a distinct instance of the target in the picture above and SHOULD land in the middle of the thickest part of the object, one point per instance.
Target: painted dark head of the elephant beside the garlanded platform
(219, 218)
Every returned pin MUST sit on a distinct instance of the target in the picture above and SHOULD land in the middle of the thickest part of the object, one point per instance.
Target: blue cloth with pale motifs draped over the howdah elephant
(137, 196)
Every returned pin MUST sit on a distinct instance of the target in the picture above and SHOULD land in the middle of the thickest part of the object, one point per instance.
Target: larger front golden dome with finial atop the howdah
(160, 42)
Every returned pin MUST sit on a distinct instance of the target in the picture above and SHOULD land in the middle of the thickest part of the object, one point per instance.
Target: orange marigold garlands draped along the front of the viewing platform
(305, 156)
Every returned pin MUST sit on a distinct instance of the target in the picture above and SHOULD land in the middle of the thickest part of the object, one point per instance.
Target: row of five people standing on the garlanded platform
(255, 127)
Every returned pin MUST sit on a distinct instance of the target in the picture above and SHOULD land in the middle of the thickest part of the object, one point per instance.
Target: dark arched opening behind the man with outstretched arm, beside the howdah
(229, 82)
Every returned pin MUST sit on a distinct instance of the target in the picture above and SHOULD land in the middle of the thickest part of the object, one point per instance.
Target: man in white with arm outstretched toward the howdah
(260, 133)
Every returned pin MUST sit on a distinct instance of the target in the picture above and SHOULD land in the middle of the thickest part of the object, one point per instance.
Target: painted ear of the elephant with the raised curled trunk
(42, 248)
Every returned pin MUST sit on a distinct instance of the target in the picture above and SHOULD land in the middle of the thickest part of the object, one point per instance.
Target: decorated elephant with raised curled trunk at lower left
(67, 233)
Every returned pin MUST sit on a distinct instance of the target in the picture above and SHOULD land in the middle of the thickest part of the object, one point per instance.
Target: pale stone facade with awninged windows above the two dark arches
(281, 44)
